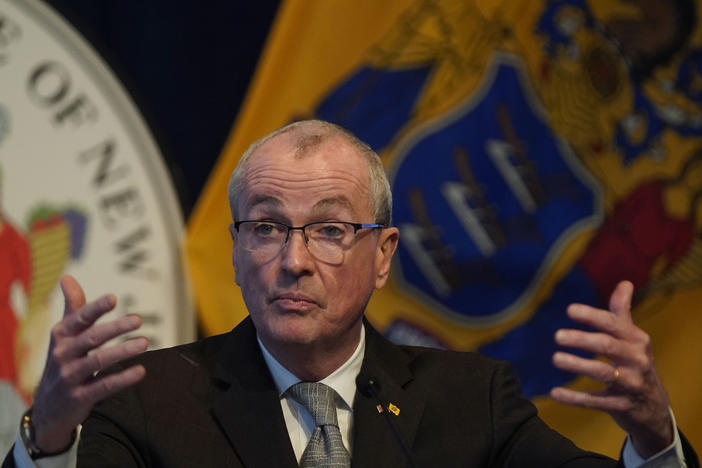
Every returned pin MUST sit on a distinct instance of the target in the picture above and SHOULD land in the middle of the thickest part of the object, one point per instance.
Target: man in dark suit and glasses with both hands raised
(230, 400)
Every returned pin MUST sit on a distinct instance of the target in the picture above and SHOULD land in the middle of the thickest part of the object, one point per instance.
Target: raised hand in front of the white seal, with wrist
(68, 388)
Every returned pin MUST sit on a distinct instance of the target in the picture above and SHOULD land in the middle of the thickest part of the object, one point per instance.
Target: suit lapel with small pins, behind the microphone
(373, 442)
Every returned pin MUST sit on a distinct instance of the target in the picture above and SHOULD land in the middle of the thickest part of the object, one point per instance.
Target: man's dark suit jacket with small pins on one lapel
(213, 403)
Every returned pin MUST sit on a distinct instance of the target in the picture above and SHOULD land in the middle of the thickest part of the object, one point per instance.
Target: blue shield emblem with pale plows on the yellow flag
(486, 196)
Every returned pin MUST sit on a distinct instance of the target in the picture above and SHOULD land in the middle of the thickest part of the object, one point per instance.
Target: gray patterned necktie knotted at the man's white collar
(325, 448)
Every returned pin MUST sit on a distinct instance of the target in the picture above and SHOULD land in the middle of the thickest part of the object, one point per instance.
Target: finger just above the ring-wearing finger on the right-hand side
(616, 350)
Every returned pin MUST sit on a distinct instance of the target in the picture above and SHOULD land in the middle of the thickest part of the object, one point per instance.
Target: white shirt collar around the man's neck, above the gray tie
(342, 380)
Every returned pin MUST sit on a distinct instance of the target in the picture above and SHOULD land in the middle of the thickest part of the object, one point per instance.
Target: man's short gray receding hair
(315, 131)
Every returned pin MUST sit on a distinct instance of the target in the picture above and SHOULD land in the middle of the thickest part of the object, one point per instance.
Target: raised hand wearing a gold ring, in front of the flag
(634, 395)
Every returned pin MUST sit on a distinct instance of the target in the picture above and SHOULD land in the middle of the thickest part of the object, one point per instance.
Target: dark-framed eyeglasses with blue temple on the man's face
(326, 241)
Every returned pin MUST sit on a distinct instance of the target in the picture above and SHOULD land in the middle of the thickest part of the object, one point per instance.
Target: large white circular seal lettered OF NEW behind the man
(83, 190)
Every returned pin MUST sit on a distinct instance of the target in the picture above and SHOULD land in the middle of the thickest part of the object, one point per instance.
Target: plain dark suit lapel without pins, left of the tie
(246, 405)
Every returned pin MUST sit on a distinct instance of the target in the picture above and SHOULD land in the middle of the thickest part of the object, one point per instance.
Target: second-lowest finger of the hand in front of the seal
(79, 371)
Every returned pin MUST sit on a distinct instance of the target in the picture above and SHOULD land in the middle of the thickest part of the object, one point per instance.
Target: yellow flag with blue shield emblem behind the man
(538, 151)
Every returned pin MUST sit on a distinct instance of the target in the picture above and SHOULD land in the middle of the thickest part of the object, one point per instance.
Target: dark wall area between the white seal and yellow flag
(186, 64)
